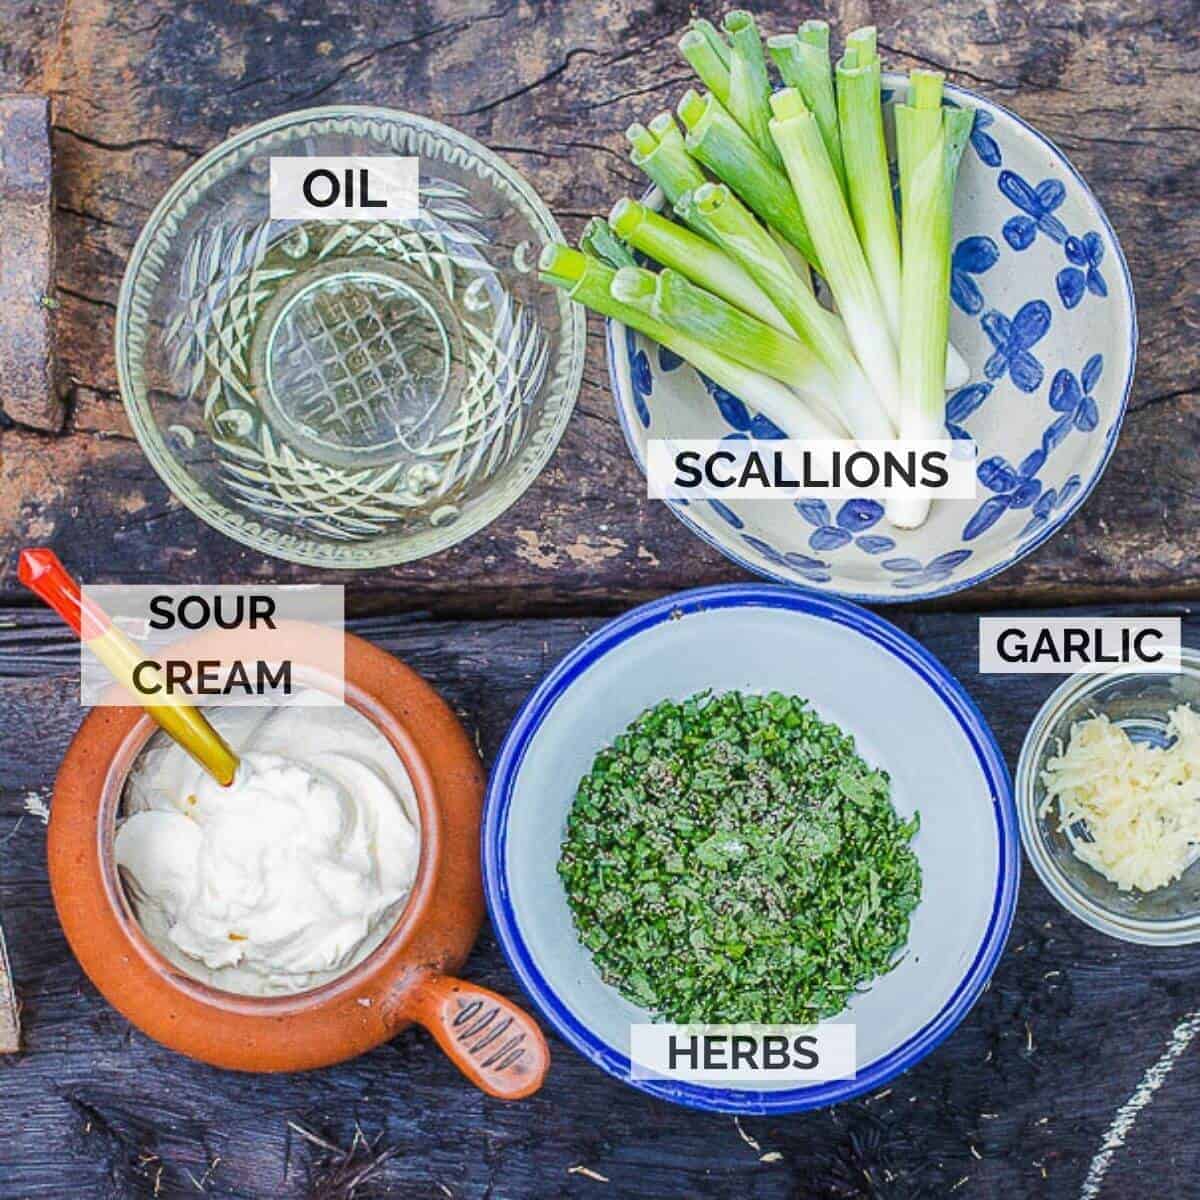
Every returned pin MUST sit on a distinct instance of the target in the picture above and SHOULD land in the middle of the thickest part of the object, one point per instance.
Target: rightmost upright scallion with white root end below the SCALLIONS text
(929, 142)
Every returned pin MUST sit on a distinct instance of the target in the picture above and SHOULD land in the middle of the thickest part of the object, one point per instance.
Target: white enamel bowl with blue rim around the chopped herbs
(909, 717)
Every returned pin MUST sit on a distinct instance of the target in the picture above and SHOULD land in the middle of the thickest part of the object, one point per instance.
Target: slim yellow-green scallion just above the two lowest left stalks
(693, 256)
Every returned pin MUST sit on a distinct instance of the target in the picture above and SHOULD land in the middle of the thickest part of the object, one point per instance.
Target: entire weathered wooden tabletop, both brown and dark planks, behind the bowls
(1017, 1102)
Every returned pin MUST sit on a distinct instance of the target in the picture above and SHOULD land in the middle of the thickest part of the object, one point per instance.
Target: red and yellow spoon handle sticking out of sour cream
(43, 573)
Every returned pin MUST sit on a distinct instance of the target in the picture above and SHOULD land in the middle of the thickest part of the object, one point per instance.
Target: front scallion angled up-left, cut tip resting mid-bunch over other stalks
(728, 223)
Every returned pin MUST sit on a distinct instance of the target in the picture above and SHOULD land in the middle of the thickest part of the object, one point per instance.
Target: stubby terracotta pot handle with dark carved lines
(491, 1041)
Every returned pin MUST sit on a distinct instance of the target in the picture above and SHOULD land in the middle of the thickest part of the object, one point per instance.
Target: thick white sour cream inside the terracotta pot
(290, 877)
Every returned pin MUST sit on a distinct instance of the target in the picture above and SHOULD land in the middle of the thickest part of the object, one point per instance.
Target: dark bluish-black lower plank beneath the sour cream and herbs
(1013, 1106)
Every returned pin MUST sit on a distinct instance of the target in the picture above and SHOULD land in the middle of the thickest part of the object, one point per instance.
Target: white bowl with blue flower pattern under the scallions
(1043, 311)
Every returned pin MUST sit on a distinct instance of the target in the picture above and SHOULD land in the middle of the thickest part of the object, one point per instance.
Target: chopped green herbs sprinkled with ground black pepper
(731, 859)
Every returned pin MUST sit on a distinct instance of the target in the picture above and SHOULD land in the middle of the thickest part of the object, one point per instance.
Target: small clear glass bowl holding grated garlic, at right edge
(1141, 705)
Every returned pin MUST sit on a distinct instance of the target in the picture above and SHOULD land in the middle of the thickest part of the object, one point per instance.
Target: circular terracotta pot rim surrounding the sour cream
(393, 944)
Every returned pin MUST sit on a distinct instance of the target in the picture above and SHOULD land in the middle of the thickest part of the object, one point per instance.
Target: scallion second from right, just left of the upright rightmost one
(869, 184)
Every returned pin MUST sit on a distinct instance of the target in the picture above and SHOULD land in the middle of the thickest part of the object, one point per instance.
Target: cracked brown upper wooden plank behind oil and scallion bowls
(143, 88)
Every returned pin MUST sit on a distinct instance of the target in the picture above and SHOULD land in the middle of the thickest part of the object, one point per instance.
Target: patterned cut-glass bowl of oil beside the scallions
(347, 393)
